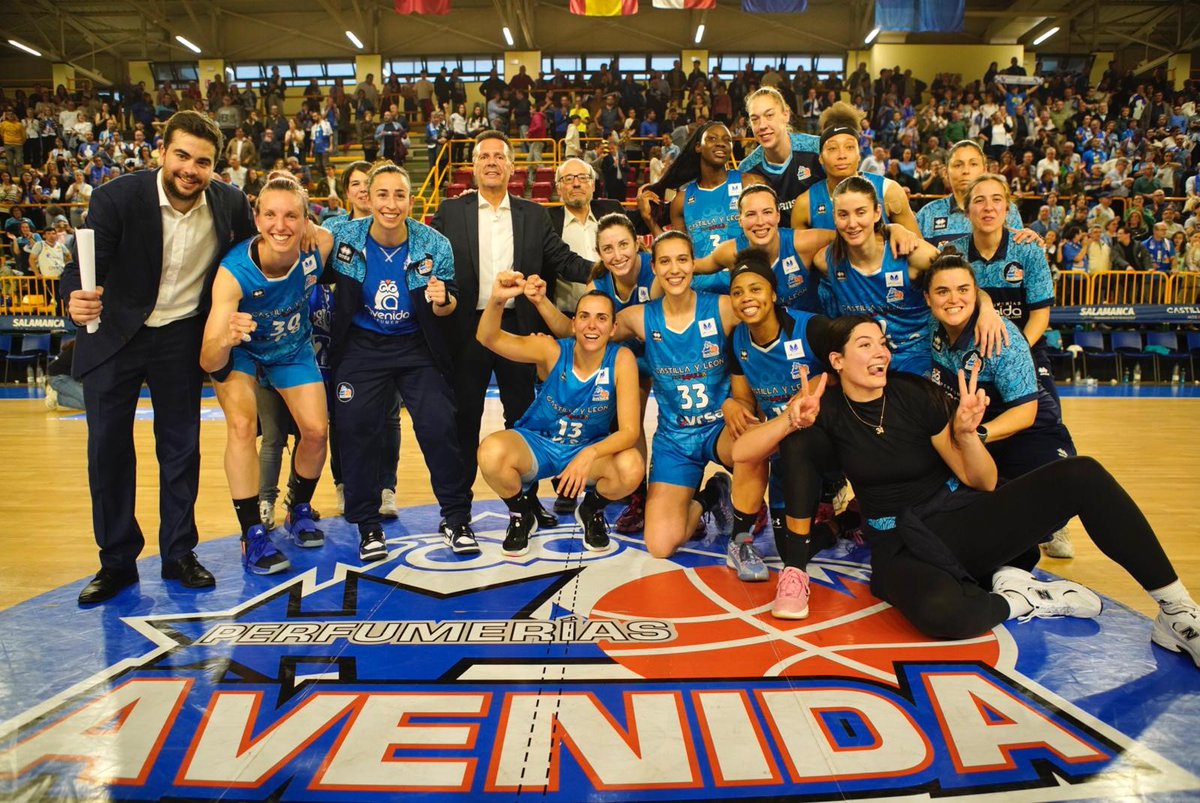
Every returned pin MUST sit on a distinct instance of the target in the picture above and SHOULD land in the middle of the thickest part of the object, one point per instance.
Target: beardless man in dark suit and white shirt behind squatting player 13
(493, 232)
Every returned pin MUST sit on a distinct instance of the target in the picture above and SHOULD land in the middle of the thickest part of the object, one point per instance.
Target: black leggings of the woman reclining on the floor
(1000, 529)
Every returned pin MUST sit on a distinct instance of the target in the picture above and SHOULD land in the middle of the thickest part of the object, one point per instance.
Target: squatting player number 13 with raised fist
(589, 383)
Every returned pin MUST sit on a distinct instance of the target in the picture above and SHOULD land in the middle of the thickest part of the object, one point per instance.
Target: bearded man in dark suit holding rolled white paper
(160, 236)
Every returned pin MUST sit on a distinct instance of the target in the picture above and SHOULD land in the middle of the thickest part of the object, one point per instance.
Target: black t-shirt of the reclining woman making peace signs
(899, 469)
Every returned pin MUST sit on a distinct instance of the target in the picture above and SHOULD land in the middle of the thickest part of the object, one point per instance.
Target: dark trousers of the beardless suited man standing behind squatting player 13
(473, 374)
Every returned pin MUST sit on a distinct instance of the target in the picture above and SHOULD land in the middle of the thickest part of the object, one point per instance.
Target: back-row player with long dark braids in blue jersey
(706, 190)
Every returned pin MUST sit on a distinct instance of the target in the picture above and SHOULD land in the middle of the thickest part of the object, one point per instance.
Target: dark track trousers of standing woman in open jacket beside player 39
(373, 369)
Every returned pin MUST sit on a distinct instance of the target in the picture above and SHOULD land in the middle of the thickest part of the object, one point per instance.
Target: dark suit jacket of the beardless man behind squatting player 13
(537, 250)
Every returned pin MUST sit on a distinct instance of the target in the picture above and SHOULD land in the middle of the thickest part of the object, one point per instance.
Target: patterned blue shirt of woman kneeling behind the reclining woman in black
(1010, 379)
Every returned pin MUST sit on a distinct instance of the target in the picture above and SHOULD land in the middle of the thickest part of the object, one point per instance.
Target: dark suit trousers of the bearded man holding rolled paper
(169, 359)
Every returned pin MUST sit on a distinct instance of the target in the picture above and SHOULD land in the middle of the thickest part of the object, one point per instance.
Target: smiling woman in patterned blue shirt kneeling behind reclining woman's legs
(1023, 427)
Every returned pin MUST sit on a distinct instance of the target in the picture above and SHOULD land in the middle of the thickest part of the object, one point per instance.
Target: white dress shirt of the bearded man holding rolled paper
(189, 245)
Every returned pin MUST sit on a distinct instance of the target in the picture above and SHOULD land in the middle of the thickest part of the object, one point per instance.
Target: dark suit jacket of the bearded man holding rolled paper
(128, 223)
